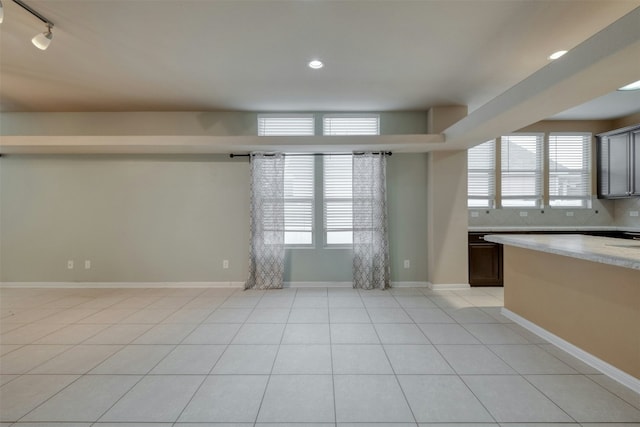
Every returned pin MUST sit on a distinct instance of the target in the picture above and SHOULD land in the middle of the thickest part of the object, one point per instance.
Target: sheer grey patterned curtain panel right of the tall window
(370, 241)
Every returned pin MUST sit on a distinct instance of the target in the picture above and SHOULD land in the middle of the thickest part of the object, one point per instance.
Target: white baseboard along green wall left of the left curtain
(87, 285)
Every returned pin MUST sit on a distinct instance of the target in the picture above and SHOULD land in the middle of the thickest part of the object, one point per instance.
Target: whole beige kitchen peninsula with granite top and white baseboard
(579, 292)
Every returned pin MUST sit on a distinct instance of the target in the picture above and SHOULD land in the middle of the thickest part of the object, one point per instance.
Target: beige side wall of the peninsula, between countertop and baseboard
(594, 306)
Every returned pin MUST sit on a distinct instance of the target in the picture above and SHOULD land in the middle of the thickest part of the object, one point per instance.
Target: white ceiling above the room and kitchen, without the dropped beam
(201, 55)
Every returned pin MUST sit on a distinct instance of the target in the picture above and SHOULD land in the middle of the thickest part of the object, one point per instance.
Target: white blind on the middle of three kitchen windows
(521, 171)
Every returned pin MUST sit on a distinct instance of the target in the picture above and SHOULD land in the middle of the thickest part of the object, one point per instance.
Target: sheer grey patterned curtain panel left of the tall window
(266, 251)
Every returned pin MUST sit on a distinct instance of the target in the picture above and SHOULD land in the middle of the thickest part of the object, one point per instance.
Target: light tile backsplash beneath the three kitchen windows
(600, 214)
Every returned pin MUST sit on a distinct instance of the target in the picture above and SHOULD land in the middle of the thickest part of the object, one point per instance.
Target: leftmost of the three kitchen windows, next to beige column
(481, 173)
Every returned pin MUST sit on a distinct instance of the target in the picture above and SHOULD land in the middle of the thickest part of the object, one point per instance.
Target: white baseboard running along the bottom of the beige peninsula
(609, 370)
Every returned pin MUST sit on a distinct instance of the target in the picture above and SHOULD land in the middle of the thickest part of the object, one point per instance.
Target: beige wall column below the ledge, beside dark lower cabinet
(447, 219)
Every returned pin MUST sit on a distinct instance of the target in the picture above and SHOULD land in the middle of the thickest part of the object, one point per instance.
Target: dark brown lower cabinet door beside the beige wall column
(485, 264)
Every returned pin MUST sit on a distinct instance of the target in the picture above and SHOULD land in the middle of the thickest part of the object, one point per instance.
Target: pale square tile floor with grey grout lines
(315, 357)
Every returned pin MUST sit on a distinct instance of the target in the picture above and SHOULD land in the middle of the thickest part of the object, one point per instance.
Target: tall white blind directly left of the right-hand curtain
(338, 199)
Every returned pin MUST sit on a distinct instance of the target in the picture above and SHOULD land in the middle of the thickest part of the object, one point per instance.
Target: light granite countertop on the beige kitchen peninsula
(606, 250)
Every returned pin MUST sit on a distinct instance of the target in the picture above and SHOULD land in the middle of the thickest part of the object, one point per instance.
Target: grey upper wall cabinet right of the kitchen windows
(619, 163)
